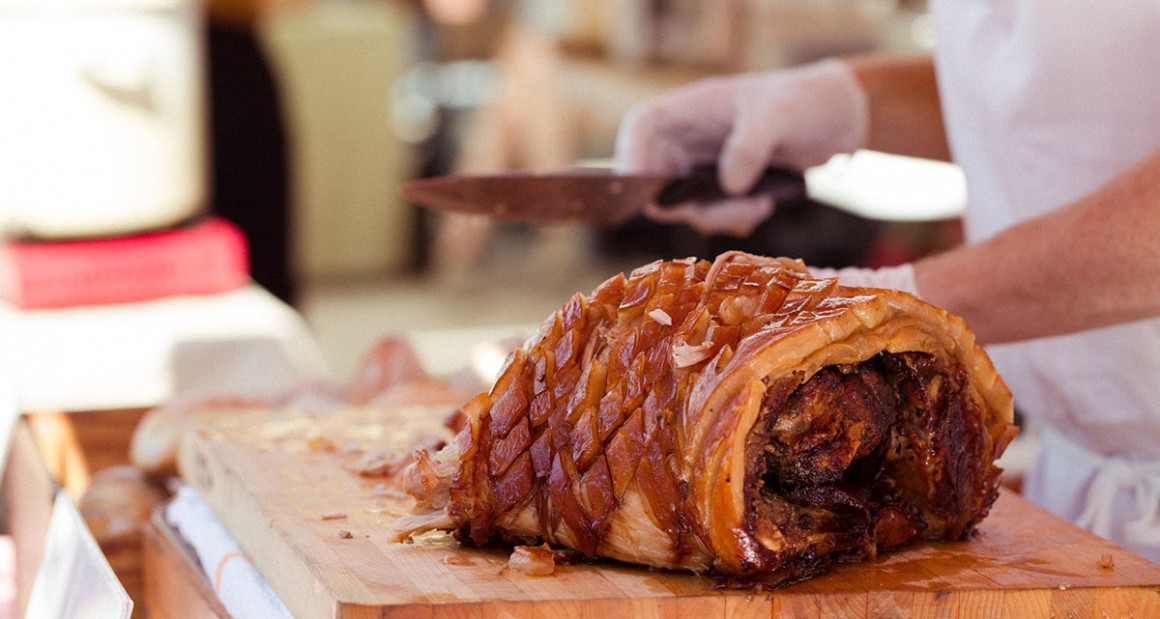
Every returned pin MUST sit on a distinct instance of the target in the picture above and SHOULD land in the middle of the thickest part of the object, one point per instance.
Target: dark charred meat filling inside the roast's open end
(836, 467)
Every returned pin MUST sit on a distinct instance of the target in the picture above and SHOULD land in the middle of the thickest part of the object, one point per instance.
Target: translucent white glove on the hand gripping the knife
(795, 119)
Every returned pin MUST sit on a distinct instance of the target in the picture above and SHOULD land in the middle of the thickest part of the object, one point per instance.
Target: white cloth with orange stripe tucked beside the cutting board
(237, 582)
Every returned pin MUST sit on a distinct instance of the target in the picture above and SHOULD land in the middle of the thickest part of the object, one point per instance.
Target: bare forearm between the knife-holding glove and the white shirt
(905, 113)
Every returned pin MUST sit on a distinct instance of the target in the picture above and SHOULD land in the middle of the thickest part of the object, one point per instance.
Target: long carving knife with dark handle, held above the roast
(596, 196)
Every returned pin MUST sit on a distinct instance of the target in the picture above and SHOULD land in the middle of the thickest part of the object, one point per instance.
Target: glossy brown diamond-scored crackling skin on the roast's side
(575, 421)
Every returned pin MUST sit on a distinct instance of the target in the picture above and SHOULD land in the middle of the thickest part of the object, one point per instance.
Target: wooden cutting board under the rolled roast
(282, 483)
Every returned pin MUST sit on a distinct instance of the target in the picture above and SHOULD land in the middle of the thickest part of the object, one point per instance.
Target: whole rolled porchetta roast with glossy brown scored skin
(739, 418)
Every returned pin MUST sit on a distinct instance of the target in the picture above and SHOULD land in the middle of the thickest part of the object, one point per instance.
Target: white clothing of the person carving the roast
(1046, 101)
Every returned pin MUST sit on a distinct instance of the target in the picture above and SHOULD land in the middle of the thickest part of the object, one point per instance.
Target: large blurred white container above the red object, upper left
(103, 119)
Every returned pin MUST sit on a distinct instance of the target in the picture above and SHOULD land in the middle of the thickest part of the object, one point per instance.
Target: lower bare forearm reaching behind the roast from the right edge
(1093, 264)
